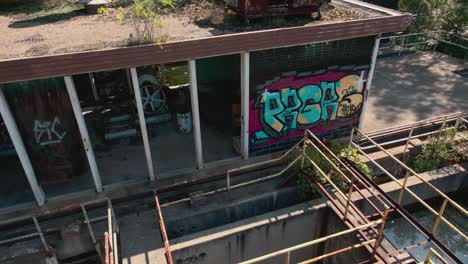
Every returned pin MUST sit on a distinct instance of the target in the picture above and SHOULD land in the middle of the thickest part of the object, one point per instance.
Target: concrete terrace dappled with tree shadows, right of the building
(412, 87)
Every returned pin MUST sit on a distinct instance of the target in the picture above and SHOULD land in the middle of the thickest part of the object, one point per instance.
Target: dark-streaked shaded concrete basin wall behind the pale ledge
(216, 210)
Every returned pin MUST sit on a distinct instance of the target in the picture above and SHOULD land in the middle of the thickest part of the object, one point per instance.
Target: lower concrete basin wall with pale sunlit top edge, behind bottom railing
(264, 234)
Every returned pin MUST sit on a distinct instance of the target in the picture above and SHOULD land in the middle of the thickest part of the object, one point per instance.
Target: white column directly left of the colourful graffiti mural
(245, 83)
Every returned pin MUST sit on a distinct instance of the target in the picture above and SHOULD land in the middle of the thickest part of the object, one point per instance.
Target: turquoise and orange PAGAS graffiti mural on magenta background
(285, 107)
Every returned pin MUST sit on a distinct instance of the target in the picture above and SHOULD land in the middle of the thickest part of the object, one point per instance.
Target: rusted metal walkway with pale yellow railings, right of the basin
(355, 181)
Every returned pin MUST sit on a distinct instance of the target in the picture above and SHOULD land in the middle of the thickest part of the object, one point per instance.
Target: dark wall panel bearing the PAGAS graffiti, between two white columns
(318, 86)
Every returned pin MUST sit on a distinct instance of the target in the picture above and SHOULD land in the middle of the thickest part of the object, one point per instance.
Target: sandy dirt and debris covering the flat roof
(54, 27)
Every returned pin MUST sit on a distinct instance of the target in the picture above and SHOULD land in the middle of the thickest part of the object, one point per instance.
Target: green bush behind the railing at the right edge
(440, 150)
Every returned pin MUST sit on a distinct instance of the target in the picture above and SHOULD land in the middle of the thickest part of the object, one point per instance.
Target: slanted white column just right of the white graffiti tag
(75, 102)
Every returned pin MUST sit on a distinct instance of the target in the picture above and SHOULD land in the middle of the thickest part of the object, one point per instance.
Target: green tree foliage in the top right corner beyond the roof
(448, 15)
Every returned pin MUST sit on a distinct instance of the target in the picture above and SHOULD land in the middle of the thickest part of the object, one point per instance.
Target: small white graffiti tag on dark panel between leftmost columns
(48, 132)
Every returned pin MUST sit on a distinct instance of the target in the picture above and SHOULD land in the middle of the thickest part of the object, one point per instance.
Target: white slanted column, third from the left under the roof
(141, 118)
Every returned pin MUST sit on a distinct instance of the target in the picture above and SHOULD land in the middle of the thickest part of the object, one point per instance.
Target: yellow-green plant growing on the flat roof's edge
(146, 18)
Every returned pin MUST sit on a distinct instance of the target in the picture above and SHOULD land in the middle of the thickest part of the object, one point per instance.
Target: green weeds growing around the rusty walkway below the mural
(340, 150)
